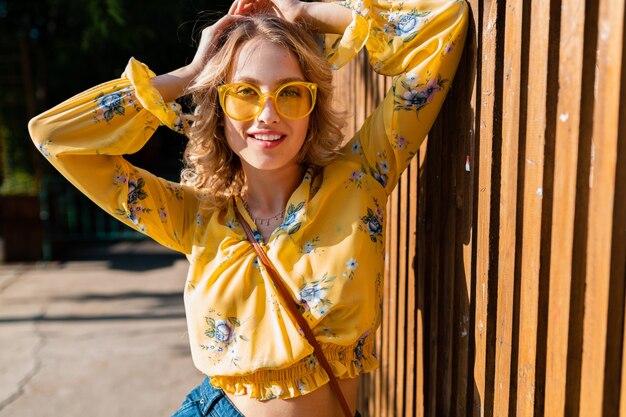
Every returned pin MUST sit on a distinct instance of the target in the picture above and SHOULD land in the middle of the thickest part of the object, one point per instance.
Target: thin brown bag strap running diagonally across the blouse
(292, 308)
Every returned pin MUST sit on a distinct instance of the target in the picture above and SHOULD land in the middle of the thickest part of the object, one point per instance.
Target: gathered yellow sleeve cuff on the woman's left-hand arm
(169, 114)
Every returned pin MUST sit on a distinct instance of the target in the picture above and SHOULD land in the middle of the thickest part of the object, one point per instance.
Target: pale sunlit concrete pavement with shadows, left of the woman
(99, 338)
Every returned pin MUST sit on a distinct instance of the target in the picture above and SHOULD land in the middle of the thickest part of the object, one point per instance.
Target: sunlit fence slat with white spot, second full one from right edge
(566, 160)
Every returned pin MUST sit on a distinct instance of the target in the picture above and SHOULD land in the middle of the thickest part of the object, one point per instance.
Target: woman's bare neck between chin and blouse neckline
(267, 192)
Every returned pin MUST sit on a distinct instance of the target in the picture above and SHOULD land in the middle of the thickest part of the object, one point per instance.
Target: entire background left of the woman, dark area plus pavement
(92, 319)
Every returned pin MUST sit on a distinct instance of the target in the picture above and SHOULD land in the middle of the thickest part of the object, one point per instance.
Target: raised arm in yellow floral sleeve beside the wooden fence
(419, 42)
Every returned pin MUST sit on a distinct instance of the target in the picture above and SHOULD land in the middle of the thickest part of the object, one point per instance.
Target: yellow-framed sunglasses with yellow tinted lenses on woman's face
(243, 101)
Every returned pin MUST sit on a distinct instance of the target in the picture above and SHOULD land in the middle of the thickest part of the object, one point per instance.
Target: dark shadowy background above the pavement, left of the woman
(49, 51)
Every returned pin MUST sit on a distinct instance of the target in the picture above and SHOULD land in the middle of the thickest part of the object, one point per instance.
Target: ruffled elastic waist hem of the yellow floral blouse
(303, 377)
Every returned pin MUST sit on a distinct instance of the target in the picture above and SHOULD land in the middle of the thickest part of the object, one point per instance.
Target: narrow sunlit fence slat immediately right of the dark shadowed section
(487, 55)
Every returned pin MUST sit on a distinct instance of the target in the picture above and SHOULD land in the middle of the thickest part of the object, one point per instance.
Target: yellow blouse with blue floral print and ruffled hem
(330, 246)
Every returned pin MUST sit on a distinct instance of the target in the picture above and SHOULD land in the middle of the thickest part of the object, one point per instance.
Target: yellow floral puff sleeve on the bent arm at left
(85, 137)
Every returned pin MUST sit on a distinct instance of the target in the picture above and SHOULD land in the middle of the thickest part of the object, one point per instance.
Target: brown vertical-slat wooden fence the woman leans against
(504, 293)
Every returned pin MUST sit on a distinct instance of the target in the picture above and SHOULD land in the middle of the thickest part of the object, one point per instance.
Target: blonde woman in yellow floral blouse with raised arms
(264, 142)
